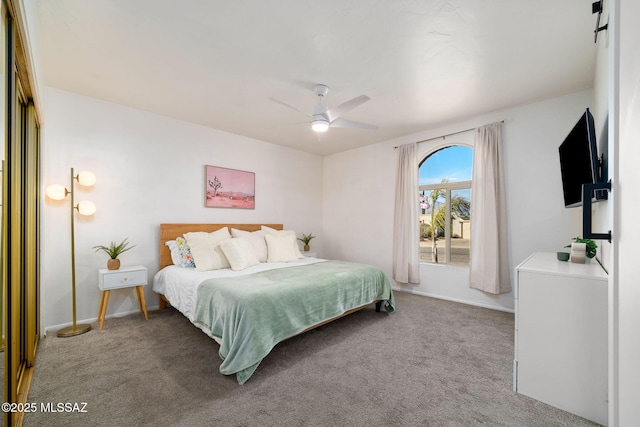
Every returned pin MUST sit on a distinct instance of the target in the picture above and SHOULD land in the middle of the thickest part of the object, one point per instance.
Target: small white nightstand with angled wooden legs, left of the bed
(125, 277)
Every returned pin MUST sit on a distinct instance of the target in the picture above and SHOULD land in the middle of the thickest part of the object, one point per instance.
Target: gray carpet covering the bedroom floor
(432, 363)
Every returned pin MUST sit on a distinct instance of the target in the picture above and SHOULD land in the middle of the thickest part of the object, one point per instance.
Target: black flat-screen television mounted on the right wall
(579, 163)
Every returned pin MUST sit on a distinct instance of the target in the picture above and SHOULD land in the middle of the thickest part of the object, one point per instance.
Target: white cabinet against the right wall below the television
(561, 334)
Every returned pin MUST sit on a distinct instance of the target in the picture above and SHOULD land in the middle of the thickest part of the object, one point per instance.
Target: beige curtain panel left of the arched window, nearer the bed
(406, 228)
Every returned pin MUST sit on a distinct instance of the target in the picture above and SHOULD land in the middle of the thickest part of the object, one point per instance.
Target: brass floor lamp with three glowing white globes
(60, 192)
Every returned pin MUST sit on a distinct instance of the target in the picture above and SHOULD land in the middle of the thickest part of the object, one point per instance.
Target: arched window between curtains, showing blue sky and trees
(445, 205)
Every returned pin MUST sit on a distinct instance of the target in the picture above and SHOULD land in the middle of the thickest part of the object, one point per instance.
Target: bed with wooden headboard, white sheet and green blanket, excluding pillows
(250, 311)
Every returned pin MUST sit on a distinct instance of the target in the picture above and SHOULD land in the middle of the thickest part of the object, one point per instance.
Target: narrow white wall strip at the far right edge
(626, 283)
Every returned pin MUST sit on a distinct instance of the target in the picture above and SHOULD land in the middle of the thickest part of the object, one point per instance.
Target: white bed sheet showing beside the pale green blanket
(179, 285)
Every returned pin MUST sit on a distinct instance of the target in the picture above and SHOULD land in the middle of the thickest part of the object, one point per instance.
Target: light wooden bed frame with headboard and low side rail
(171, 231)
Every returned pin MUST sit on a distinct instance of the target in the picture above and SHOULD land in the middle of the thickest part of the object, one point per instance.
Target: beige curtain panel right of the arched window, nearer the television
(489, 255)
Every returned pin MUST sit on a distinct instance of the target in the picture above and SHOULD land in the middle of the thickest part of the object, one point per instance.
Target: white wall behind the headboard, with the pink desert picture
(150, 170)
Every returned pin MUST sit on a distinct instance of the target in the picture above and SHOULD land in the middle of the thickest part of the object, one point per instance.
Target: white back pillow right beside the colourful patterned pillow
(205, 249)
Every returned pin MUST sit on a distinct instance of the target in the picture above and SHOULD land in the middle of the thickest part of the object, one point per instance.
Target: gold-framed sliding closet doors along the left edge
(20, 225)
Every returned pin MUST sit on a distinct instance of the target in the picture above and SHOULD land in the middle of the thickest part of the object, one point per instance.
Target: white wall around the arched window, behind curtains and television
(359, 190)
